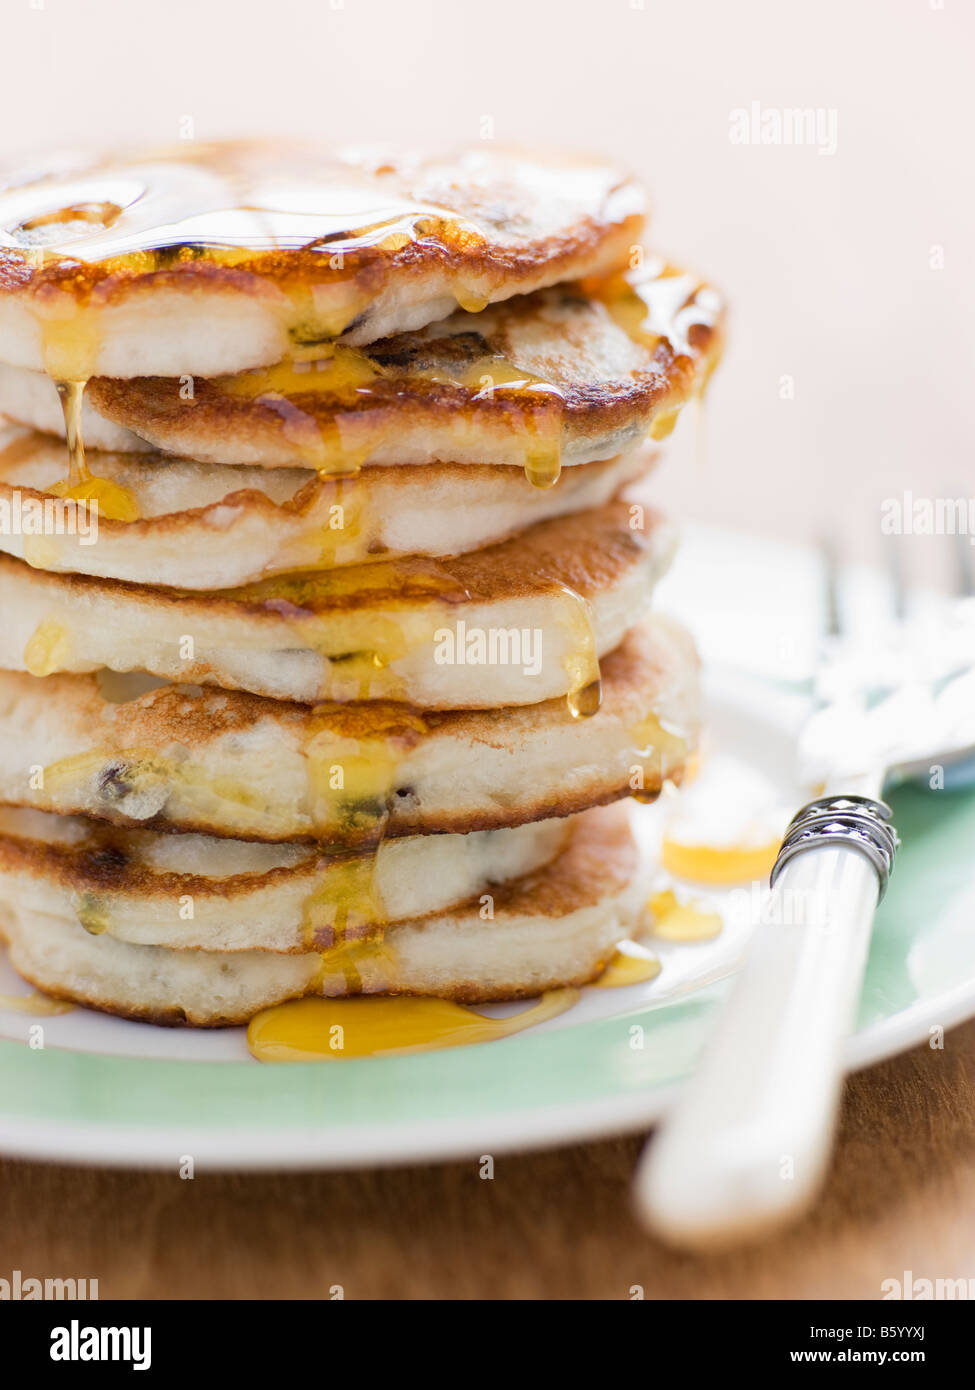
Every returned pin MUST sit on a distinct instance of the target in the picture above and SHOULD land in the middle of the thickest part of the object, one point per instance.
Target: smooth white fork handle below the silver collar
(749, 1140)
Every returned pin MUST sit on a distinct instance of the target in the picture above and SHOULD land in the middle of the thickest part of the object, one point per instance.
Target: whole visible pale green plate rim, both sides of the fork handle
(599, 1061)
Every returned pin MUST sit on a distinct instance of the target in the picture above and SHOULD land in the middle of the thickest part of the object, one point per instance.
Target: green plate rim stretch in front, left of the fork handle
(567, 1065)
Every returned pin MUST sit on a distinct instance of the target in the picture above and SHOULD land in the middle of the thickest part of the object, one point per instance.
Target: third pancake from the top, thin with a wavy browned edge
(211, 528)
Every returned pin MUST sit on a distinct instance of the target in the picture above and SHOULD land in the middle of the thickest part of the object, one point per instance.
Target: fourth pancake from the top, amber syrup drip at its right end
(514, 625)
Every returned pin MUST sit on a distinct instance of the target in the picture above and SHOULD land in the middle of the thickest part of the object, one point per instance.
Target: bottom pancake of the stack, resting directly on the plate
(553, 928)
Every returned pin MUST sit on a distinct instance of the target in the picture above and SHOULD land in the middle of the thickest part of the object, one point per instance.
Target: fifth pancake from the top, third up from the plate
(227, 764)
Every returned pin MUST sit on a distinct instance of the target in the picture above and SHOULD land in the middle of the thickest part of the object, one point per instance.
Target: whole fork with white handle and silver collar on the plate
(748, 1145)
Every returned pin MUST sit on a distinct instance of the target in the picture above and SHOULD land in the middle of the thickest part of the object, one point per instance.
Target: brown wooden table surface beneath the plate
(902, 1196)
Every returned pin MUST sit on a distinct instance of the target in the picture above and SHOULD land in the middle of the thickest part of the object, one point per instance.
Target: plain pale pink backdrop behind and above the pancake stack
(827, 259)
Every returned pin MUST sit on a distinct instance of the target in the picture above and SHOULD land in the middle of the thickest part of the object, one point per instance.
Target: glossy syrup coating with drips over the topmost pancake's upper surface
(303, 218)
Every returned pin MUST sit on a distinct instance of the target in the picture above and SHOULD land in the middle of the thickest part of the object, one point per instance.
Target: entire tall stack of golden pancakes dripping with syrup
(336, 700)
